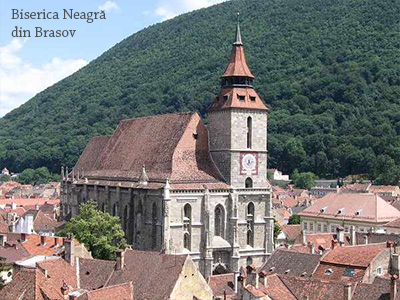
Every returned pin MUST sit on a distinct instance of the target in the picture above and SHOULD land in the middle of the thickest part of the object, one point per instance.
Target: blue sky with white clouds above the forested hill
(28, 65)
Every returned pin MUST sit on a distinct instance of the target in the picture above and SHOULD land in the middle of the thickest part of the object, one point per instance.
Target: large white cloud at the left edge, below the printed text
(20, 80)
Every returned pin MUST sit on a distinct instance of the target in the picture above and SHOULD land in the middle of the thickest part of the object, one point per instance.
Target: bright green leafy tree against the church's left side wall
(100, 232)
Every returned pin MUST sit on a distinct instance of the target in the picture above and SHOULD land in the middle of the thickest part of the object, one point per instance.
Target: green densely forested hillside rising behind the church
(328, 69)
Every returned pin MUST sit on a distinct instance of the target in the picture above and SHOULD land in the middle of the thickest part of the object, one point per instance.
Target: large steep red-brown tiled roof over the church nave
(173, 146)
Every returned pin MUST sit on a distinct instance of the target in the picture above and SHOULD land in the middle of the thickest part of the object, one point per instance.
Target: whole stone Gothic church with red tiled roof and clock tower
(182, 188)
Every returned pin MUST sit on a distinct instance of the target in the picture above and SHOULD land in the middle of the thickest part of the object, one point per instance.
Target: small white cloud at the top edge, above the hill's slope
(167, 9)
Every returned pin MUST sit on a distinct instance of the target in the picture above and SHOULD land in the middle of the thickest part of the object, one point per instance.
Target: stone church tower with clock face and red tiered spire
(238, 125)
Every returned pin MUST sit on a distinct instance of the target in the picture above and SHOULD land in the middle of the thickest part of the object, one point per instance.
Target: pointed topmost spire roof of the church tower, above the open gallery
(237, 66)
